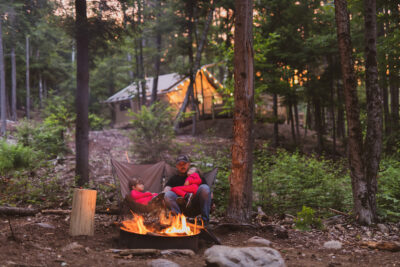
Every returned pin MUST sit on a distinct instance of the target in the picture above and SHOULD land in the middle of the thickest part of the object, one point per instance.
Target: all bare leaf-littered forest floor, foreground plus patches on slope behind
(43, 240)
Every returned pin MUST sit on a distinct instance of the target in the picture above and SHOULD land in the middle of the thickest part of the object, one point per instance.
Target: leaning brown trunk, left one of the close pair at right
(362, 209)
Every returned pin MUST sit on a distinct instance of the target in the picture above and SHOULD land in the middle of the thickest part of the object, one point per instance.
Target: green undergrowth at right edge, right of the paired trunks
(388, 195)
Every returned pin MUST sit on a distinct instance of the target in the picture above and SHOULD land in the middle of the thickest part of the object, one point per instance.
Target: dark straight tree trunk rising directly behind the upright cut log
(82, 94)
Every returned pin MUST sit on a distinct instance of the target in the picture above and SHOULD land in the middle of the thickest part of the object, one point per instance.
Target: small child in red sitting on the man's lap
(189, 188)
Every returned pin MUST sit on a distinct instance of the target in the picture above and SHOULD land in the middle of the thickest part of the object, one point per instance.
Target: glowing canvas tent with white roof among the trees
(171, 89)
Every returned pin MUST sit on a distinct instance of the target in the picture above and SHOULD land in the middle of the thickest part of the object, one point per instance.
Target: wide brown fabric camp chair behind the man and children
(154, 177)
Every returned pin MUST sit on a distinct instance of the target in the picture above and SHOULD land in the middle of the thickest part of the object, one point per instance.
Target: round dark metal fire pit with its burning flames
(176, 233)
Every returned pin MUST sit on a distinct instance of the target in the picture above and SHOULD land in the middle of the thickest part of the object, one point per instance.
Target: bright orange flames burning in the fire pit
(176, 226)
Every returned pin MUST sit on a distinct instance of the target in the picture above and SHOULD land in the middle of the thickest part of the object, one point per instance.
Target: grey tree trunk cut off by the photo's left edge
(2, 84)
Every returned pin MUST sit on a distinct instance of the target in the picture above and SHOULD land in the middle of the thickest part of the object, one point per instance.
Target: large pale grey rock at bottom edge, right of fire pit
(224, 256)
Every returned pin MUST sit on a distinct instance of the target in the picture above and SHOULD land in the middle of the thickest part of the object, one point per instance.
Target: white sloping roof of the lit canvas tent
(165, 82)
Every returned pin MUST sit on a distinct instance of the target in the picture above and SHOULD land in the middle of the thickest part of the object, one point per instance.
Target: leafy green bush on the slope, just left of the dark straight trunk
(46, 139)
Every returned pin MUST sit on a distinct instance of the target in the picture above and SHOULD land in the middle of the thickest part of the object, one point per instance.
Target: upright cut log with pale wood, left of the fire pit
(82, 214)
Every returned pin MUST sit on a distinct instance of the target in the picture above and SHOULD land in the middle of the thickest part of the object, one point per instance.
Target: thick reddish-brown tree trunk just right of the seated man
(240, 198)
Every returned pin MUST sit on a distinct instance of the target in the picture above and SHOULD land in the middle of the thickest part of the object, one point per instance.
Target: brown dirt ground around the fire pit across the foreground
(43, 240)
